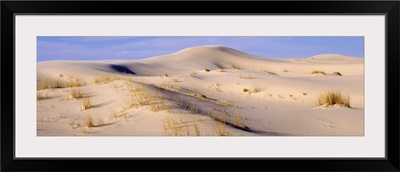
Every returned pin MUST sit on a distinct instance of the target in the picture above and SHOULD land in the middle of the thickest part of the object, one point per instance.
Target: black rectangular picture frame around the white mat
(389, 8)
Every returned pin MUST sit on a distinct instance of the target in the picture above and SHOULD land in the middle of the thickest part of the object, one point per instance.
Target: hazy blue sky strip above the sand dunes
(111, 47)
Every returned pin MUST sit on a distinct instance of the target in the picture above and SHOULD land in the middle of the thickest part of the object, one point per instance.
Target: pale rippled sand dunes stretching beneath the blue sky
(285, 104)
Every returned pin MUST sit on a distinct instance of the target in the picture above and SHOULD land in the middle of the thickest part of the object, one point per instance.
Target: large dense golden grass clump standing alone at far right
(331, 98)
